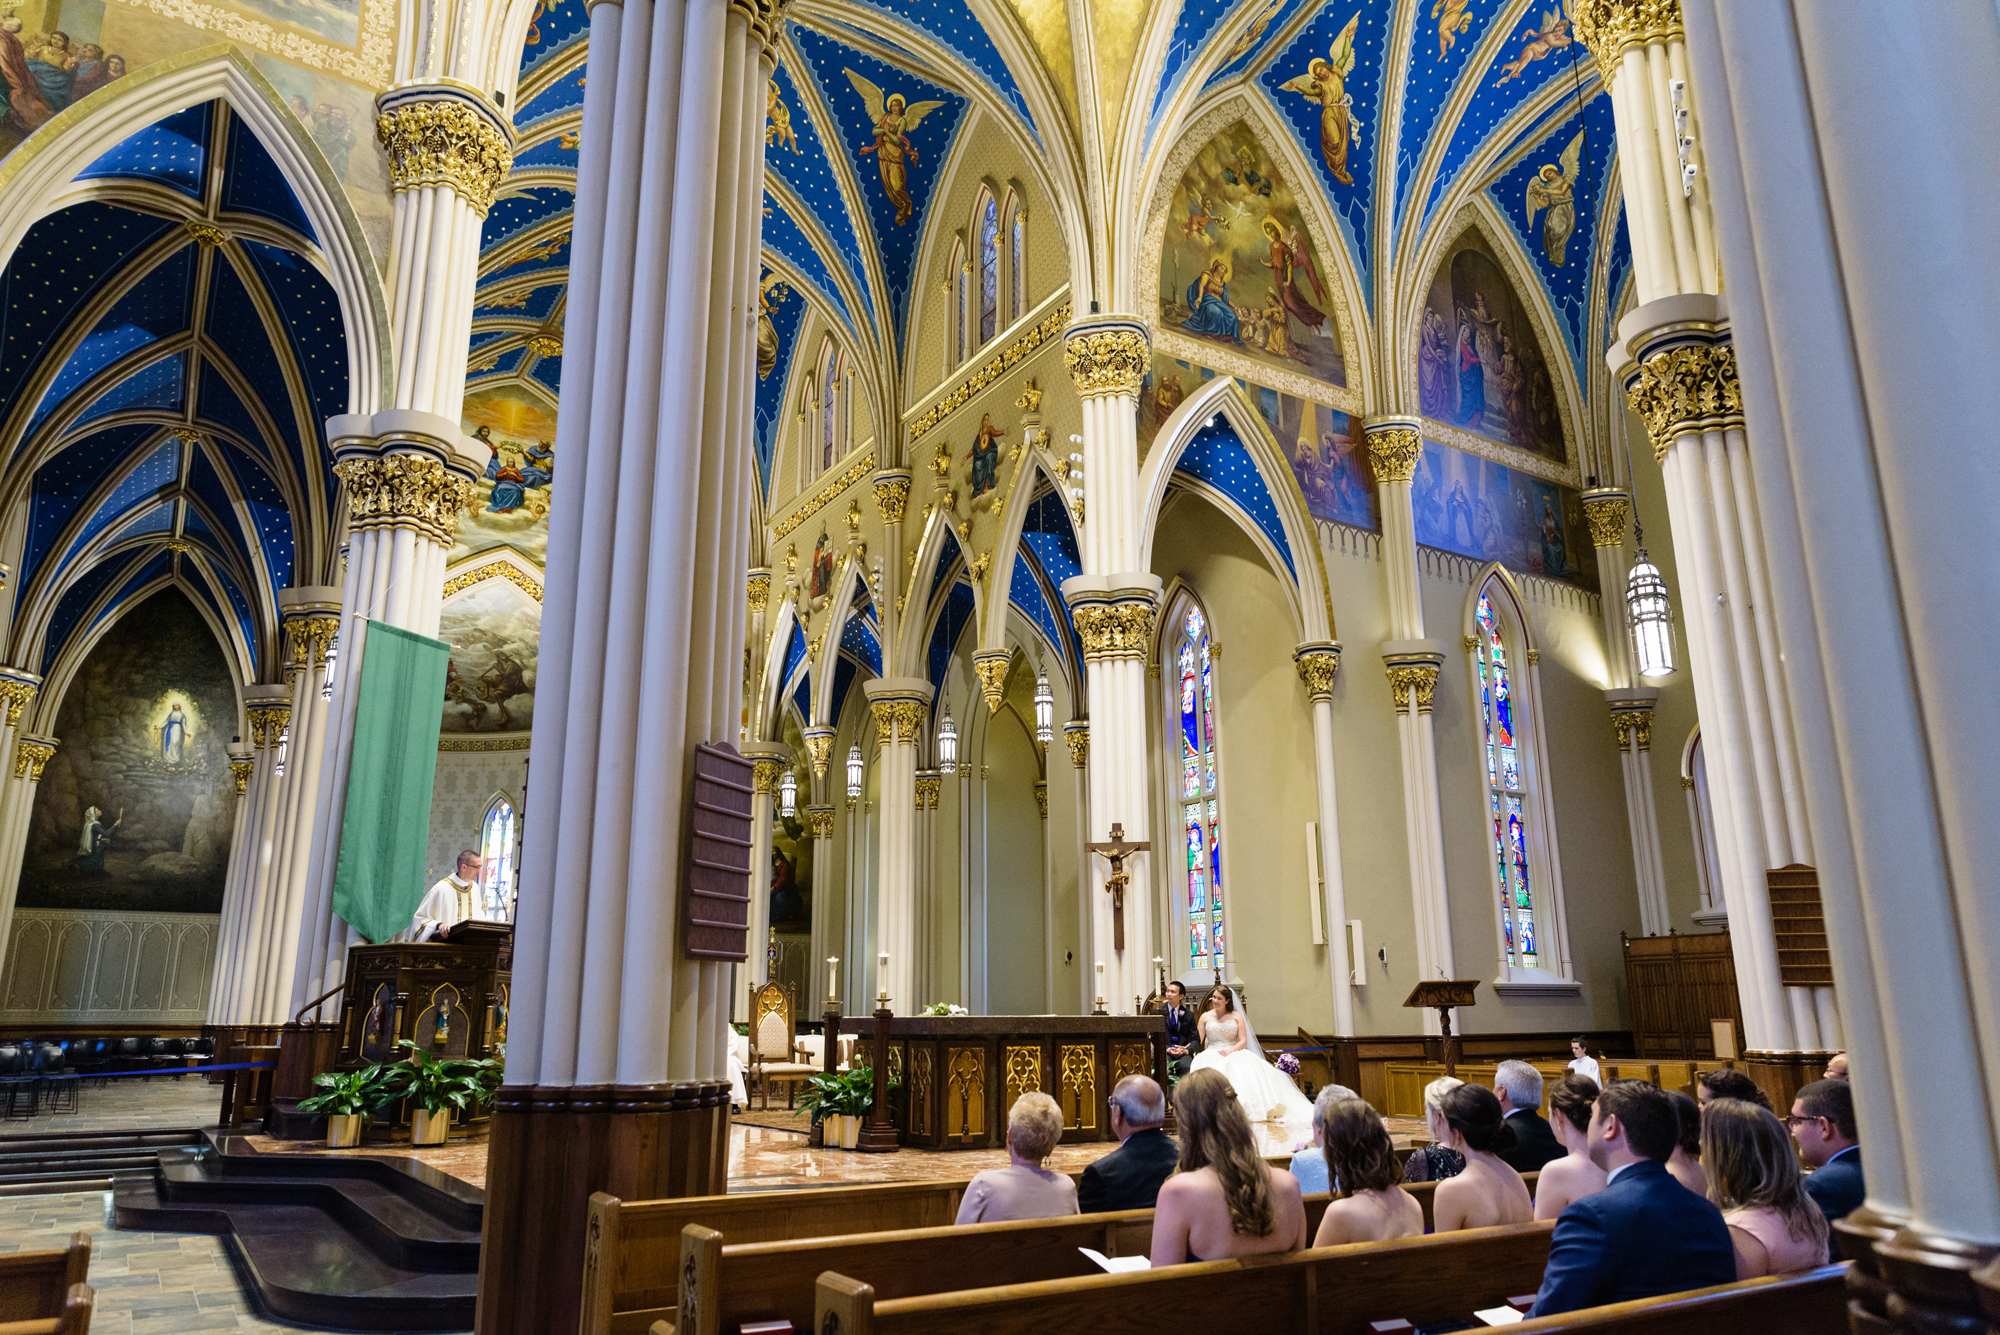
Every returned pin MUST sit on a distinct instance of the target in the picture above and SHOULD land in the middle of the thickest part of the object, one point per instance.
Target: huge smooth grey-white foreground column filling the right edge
(1855, 327)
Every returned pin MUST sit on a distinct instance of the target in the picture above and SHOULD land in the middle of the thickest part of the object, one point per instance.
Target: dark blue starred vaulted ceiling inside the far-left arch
(169, 357)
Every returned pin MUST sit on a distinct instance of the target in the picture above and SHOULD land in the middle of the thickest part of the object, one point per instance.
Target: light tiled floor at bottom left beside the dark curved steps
(149, 1284)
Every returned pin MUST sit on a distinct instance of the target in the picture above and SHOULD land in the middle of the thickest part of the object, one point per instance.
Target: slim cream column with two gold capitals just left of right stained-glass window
(1395, 447)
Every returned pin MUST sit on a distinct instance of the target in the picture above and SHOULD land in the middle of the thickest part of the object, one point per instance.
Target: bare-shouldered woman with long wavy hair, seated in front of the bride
(1225, 1202)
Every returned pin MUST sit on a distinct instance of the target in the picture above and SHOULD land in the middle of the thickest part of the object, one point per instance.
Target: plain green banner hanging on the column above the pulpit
(385, 830)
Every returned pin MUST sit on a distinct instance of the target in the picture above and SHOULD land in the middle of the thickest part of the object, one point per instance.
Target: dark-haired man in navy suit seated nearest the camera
(1643, 1234)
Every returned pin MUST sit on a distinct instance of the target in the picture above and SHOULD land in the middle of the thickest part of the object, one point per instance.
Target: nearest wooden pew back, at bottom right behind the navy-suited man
(1805, 1304)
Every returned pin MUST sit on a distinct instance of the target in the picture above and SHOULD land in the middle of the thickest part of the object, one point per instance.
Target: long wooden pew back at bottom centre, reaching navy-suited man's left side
(1325, 1292)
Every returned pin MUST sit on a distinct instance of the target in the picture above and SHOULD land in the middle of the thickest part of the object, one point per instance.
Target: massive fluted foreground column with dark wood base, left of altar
(621, 1036)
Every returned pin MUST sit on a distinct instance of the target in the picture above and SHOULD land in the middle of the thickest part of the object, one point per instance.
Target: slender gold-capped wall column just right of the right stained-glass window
(1607, 511)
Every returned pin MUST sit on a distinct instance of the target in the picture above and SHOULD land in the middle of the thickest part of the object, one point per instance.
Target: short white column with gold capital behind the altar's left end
(901, 706)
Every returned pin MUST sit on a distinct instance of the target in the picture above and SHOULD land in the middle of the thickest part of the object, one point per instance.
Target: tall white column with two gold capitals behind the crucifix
(1115, 607)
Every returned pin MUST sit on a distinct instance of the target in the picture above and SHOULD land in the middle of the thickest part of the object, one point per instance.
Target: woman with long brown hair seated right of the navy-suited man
(1753, 1176)
